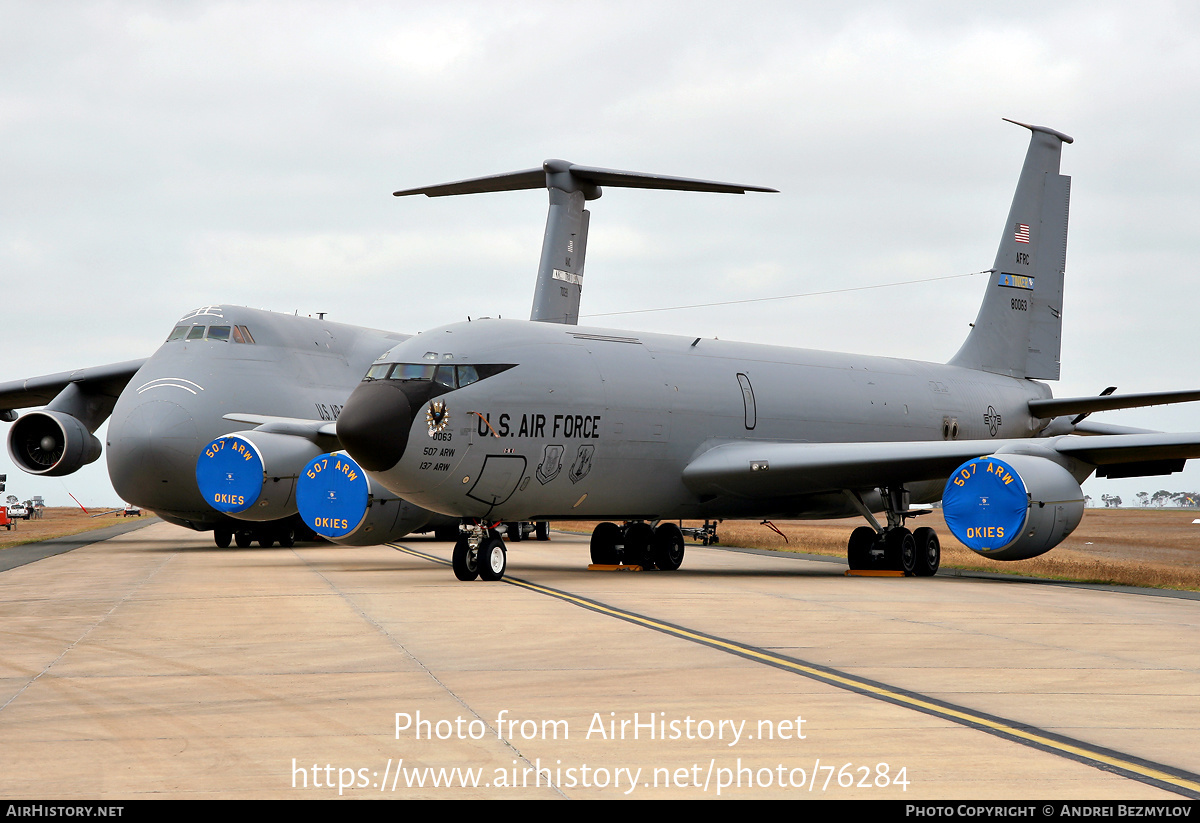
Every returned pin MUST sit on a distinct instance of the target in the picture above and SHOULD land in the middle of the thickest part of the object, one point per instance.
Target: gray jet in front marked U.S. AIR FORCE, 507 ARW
(503, 420)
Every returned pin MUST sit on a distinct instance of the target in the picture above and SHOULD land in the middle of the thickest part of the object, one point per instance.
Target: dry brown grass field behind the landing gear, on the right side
(1148, 548)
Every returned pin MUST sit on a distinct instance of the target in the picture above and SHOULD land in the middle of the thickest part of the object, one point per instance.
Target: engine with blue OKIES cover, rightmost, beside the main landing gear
(1012, 507)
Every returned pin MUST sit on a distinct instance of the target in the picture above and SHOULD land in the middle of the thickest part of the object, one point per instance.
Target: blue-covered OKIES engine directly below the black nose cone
(343, 504)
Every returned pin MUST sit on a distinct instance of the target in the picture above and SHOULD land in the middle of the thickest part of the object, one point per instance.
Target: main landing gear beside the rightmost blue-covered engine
(893, 549)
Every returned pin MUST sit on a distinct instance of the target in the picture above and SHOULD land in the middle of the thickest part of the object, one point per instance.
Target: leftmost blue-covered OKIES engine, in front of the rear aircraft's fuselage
(253, 476)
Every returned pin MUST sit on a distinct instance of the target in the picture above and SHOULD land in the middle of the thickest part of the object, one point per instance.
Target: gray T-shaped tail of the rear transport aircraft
(556, 298)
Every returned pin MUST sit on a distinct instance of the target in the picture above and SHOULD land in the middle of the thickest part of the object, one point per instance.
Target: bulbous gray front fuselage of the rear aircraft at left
(229, 359)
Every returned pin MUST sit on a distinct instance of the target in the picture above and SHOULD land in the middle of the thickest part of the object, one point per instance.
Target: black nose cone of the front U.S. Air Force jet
(374, 425)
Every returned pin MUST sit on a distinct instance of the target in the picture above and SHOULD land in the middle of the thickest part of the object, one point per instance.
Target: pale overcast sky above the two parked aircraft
(155, 158)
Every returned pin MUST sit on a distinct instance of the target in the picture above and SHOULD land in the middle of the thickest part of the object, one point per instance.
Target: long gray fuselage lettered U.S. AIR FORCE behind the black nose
(596, 424)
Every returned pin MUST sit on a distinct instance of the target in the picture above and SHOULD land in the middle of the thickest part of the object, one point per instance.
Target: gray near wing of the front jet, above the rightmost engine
(758, 470)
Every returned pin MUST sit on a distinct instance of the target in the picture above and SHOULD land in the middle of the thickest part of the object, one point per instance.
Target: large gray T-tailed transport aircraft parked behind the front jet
(177, 442)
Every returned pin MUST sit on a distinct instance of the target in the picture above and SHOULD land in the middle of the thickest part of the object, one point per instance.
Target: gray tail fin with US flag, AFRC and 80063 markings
(1019, 327)
